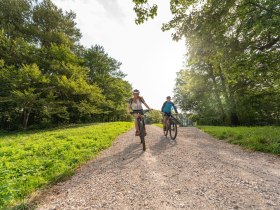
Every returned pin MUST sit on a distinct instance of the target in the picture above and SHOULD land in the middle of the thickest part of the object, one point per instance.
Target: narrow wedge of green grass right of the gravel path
(264, 139)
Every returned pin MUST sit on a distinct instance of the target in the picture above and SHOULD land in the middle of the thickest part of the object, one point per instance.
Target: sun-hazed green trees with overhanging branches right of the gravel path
(232, 73)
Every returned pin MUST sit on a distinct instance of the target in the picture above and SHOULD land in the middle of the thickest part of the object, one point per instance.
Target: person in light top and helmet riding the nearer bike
(135, 103)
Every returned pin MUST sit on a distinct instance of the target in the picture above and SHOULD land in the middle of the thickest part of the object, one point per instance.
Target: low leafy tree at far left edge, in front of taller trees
(23, 88)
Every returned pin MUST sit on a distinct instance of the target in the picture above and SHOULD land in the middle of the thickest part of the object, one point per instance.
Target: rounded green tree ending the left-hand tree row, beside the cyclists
(105, 72)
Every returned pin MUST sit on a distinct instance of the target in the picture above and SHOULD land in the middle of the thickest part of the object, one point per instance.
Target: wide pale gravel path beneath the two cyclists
(193, 172)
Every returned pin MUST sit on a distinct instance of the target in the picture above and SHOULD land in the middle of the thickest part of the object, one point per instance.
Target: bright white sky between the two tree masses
(149, 57)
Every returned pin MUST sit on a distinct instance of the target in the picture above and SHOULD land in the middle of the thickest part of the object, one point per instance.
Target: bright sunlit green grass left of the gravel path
(32, 160)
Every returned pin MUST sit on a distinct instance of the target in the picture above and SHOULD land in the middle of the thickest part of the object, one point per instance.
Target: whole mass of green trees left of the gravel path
(47, 78)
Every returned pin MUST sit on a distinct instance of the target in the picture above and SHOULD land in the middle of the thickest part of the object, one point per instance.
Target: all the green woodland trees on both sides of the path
(231, 74)
